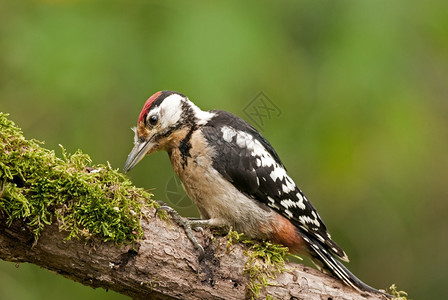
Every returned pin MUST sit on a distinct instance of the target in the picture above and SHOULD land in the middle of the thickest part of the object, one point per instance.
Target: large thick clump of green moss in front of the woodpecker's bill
(39, 188)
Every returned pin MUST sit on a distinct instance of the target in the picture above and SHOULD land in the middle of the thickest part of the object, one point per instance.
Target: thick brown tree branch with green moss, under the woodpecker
(160, 263)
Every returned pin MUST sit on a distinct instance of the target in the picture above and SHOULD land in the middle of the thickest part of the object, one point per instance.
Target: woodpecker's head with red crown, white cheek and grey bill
(165, 117)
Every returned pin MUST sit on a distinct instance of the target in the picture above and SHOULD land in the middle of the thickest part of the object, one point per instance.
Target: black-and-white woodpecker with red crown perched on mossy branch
(236, 179)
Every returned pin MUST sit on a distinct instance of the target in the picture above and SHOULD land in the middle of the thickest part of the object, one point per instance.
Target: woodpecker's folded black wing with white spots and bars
(251, 164)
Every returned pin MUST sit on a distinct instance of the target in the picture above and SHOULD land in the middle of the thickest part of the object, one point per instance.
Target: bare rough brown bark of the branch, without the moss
(163, 265)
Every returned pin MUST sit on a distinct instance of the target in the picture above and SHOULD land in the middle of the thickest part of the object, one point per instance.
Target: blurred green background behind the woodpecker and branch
(361, 85)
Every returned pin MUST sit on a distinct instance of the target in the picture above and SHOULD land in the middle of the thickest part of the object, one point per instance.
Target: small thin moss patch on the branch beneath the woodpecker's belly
(265, 261)
